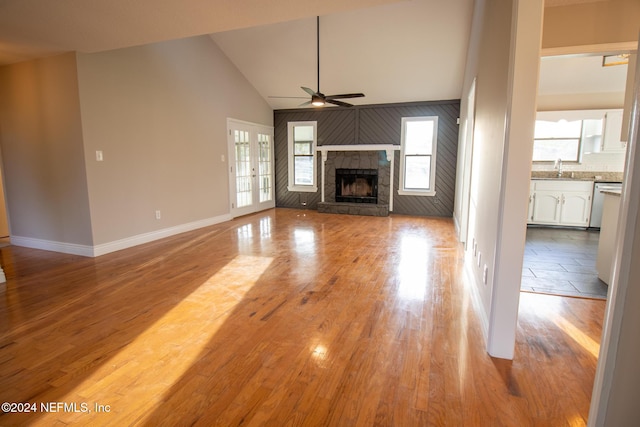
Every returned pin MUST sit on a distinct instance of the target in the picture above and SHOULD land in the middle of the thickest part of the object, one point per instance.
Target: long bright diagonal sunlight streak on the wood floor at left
(173, 343)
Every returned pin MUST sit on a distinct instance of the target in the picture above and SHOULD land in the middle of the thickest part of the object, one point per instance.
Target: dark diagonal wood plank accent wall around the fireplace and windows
(374, 124)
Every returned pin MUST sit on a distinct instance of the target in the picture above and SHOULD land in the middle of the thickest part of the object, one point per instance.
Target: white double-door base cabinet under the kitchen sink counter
(560, 202)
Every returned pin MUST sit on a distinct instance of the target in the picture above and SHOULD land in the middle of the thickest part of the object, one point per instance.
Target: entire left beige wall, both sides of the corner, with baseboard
(157, 112)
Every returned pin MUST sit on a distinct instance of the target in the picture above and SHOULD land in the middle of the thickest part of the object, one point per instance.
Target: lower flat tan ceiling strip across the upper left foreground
(35, 28)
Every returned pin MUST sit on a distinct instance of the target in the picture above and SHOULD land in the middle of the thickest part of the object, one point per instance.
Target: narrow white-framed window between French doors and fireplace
(302, 156)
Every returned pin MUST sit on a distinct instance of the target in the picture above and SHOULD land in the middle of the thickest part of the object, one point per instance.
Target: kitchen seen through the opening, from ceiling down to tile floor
(576, 178)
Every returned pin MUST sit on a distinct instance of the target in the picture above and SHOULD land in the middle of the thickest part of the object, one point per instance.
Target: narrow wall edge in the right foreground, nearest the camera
(617, 382)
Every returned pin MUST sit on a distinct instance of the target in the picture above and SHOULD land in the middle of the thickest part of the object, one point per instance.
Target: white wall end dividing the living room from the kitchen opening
(505, 65)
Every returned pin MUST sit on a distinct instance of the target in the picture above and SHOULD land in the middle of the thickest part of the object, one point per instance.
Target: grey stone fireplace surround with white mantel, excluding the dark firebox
(378, 157)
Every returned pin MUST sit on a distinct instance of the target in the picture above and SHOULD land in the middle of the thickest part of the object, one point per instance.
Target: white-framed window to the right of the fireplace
(418, 156)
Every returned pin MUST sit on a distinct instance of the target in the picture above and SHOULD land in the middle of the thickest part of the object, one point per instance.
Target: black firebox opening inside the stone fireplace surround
(357, 185)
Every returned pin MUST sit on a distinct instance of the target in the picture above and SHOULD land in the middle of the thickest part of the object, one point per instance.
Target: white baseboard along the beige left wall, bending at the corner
(105, 248)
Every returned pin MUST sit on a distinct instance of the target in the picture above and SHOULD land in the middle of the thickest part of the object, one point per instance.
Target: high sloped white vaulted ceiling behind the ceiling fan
(401, 52)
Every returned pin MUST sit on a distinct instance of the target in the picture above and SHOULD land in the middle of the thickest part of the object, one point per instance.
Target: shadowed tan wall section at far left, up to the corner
(42, 152)
